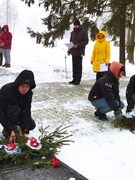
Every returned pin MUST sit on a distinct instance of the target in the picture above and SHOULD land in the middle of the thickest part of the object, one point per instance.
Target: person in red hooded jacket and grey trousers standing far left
(6, 42)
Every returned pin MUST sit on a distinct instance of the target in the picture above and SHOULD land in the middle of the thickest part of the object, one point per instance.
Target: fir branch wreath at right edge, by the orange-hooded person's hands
(126, 123)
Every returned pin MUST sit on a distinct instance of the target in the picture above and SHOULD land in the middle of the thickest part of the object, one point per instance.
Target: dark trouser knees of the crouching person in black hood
(13, 114)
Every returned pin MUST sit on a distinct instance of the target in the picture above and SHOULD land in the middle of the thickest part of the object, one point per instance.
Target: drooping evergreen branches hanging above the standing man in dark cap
(62, 13)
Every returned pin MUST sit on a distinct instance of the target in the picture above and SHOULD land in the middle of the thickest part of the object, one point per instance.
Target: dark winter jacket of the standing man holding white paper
(79, 37)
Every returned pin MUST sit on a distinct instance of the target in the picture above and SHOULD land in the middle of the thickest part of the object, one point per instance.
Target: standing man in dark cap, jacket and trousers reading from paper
(79, 38)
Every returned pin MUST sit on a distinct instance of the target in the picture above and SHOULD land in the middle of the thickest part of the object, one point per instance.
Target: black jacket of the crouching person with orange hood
(106, 87)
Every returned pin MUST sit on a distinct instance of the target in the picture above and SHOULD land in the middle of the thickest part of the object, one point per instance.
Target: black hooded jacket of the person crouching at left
(9, 95)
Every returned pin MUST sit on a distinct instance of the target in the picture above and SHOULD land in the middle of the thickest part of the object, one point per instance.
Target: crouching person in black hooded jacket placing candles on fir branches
(15, 105)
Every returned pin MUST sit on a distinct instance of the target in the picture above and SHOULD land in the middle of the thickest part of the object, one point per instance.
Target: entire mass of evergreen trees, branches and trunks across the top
(63, 12)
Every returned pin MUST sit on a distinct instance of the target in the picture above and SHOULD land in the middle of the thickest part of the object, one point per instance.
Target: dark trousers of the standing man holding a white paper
(77, 68)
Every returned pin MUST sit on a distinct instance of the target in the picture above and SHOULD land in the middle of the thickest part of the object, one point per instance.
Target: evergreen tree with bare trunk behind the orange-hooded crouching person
(121, 17)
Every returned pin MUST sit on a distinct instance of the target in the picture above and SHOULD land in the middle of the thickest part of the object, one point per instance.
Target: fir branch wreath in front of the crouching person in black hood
(51, 143)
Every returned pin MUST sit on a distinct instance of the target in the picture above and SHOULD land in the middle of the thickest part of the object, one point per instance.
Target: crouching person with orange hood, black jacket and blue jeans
(104, 95)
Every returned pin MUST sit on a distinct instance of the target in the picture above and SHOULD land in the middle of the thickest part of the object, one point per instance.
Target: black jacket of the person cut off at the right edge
(130, 91)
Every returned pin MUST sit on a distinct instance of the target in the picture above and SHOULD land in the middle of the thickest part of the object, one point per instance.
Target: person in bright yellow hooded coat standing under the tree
(101, 53)
